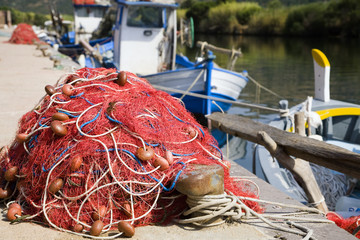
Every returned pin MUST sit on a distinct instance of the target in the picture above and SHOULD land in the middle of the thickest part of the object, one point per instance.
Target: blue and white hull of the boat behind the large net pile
(224, 84)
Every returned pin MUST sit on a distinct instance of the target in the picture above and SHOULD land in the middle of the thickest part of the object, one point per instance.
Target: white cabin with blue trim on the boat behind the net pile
(145, 36)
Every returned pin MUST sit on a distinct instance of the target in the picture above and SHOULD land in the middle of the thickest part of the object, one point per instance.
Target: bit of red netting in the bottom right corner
(351, 224)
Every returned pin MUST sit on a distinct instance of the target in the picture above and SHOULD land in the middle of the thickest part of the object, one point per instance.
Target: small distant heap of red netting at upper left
(24, 34)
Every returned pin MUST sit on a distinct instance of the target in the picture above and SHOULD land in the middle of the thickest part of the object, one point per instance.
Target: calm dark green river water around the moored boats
(285, 66)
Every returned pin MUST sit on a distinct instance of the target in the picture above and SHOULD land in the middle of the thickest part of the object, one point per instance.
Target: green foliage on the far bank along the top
(256, 17)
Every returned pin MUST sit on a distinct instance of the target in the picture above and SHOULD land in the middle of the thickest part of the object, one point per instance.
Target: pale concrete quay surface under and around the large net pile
(23, 74)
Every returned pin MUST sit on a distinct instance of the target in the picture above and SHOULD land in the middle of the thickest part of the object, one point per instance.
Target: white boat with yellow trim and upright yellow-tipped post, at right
(332, 121)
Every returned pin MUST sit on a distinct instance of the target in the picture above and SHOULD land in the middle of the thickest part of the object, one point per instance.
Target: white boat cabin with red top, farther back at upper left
(87, 17)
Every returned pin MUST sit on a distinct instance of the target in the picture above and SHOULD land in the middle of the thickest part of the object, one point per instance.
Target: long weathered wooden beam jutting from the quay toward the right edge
(309, 149)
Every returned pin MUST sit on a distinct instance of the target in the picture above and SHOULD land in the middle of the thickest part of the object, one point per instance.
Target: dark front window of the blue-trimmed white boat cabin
(145, 17)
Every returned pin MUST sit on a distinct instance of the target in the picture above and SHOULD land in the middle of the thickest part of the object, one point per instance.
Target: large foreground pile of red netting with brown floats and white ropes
(82, 154)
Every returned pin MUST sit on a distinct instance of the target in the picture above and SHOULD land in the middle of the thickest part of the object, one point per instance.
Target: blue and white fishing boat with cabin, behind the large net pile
(144, 42)
